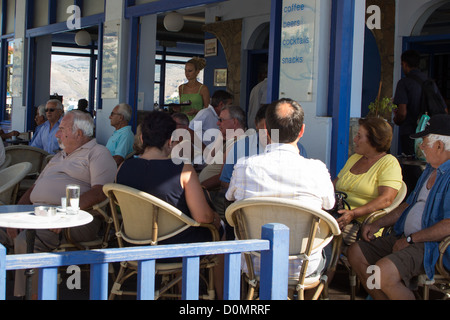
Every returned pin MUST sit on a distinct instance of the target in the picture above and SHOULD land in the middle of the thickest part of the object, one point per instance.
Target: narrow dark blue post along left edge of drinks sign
(273, 68)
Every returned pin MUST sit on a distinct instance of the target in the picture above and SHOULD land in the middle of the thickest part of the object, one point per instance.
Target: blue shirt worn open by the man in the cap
(437, 208)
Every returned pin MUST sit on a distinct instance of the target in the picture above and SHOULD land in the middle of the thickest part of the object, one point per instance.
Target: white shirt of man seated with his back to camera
(282, 172)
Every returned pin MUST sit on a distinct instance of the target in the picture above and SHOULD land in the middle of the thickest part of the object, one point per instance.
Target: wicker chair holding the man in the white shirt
(310, 231)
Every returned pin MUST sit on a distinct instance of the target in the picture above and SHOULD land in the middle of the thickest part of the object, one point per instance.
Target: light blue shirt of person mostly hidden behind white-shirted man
(246, 147)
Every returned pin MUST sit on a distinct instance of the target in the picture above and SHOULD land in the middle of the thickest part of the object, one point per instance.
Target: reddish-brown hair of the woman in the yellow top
(379, 133)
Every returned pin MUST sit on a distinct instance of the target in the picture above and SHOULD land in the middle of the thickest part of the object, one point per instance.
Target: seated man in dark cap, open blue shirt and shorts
(420, 224)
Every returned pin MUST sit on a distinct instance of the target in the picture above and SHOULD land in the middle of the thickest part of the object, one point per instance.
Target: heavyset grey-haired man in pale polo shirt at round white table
(82, 161)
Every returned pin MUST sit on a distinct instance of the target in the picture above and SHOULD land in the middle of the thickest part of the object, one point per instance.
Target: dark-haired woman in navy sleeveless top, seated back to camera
(177, 184)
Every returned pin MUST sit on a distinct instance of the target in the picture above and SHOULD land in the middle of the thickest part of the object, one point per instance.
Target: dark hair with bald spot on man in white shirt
(289, 124)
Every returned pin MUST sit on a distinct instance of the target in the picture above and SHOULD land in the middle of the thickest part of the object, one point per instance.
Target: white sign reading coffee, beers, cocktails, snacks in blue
(297, 49)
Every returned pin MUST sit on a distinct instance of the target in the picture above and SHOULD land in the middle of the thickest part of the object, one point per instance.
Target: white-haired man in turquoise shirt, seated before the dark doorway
(120, 144)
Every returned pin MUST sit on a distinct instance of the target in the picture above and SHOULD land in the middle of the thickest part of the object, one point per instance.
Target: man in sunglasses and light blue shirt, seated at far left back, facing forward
(45, 138)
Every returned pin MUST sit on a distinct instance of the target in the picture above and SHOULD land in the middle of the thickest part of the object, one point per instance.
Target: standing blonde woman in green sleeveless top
(193, 90)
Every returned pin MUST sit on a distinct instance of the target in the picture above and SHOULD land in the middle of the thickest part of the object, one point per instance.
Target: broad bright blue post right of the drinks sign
(340, 97)
